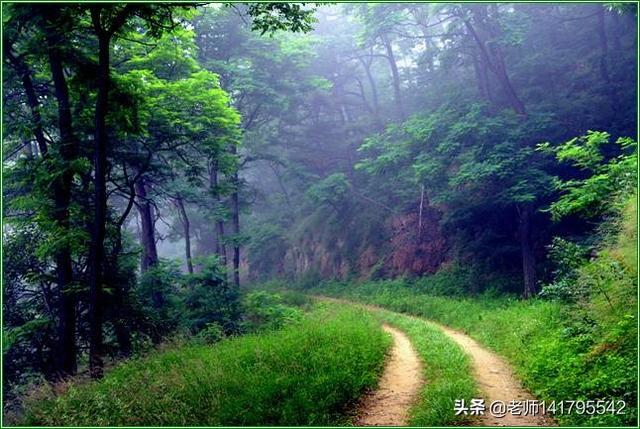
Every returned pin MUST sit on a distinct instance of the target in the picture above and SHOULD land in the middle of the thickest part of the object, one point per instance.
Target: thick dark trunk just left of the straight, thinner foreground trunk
(66, 348)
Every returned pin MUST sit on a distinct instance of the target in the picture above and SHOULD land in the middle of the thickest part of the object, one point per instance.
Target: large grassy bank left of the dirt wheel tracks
(304, 374)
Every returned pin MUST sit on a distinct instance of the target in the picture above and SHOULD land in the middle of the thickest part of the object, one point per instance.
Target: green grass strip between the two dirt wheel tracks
(447, 371)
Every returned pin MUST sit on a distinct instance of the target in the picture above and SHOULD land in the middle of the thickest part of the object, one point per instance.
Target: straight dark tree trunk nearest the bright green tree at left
(96, 260)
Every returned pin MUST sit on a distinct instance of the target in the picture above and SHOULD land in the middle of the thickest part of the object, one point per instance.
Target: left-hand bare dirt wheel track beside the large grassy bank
(399, 386)
